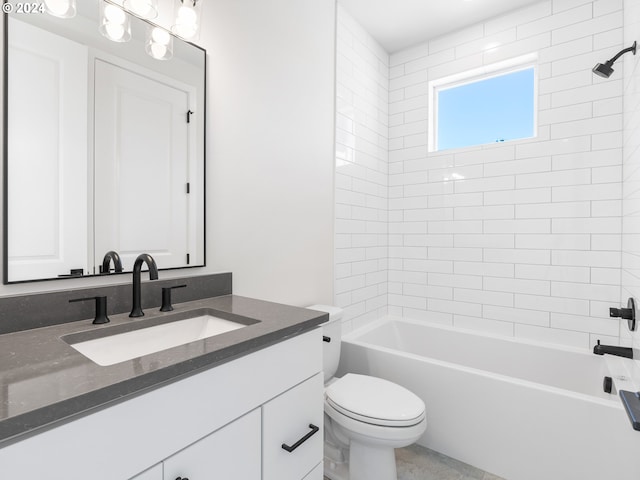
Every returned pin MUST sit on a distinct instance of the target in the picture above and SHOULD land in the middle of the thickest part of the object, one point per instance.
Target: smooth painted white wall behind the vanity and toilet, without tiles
(270, 144)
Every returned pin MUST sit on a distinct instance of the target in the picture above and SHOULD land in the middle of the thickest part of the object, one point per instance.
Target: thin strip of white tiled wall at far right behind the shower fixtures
(631, 169)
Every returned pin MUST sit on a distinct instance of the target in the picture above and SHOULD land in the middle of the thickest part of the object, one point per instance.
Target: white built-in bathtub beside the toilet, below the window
(520, 410)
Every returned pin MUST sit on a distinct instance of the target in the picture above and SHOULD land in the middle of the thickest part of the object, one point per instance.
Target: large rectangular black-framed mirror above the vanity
(104, 147)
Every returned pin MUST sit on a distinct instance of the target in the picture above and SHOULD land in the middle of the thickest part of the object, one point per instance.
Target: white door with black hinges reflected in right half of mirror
(141, 167)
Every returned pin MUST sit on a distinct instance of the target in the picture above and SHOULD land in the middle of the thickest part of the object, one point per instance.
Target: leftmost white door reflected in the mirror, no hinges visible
(47, 155)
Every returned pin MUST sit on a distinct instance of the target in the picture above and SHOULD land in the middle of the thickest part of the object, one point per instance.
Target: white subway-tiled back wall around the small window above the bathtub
(528, 243)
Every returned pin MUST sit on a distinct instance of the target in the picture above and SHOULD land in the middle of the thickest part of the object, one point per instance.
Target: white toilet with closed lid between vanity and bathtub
(366, 417)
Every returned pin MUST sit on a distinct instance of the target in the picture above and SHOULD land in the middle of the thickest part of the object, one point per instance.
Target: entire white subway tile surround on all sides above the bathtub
(519, 238)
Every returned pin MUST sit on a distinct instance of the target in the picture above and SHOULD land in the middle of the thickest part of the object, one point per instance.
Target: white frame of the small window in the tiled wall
(485, 72)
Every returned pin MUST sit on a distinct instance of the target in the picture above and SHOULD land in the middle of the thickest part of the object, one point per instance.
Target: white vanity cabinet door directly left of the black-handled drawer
(231, 453)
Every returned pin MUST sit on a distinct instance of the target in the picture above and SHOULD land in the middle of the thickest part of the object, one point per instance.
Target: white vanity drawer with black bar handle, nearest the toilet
(295, 420)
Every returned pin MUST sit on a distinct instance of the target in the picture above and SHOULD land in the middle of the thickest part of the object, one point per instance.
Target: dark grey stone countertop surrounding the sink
(44, 381)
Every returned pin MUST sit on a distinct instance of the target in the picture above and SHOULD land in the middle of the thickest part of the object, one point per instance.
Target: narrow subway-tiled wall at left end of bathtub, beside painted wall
(362, 142)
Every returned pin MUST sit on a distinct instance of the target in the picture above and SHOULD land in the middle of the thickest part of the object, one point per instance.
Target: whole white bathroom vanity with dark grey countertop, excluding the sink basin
(244, 404)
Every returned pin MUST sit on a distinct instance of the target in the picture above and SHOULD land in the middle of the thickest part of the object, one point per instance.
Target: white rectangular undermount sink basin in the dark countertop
(117, 348)
